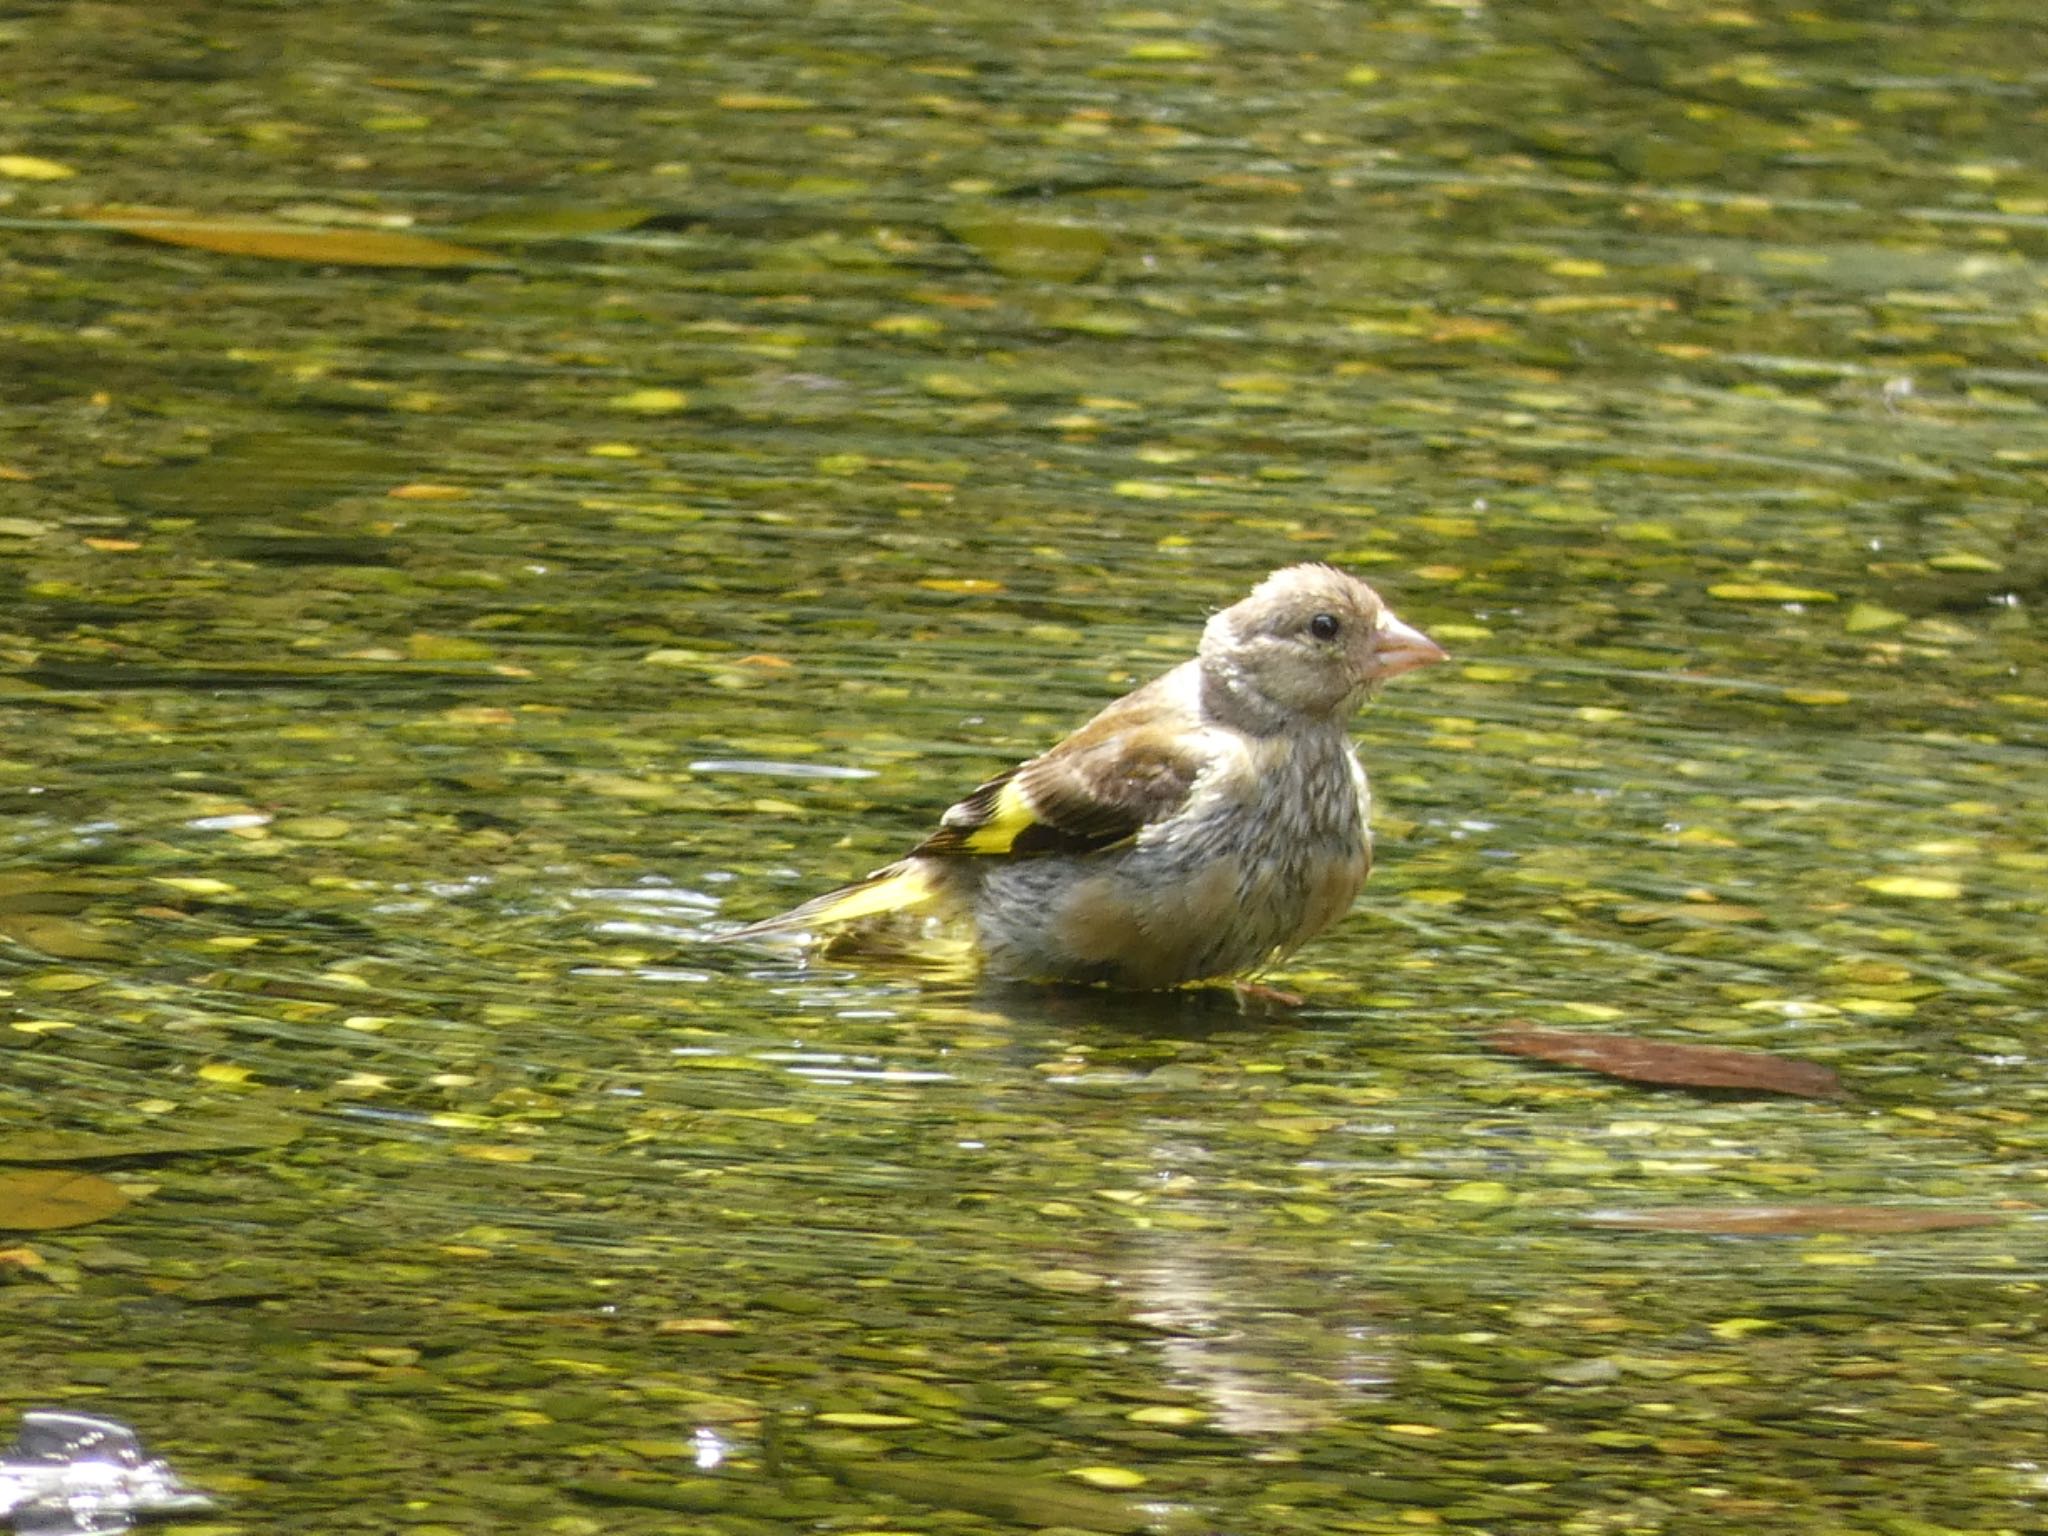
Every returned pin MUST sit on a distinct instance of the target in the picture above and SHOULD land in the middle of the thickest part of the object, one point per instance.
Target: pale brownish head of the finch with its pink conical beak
(1310, 642)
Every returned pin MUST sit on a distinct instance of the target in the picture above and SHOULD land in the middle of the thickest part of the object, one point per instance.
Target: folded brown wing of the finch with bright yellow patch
(1101, 787)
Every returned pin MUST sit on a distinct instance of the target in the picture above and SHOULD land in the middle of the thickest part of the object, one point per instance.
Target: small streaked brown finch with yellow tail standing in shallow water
(1201, 826)
